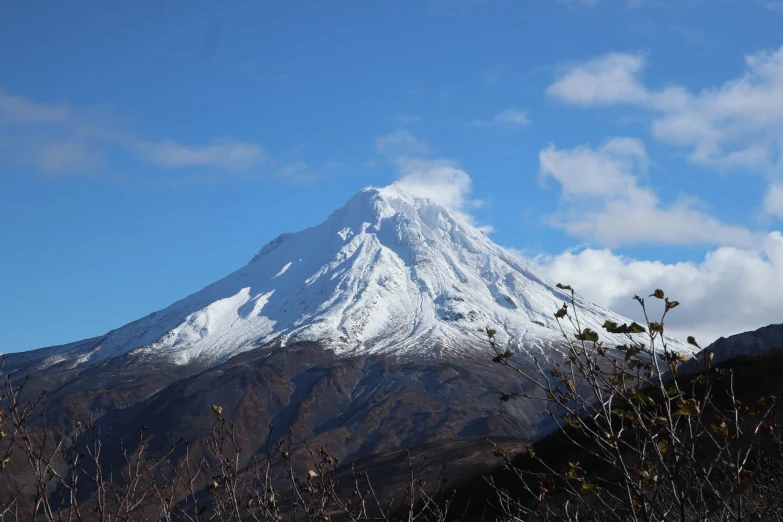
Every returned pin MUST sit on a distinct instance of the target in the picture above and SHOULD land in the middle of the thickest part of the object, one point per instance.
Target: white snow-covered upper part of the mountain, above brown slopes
(388, 272)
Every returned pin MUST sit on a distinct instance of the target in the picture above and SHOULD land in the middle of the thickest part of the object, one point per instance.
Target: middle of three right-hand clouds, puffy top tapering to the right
(602, 201)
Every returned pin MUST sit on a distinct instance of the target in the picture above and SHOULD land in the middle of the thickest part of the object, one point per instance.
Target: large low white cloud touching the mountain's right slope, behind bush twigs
(730, 291)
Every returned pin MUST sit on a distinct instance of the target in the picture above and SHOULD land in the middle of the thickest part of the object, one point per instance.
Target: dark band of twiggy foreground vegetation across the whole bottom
(645, 433)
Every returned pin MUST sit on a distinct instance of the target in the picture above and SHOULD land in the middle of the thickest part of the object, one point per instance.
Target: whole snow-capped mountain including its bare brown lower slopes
(364, 334)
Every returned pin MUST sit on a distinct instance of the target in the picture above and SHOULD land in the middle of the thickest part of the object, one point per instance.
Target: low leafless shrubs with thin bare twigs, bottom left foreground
(79, 476)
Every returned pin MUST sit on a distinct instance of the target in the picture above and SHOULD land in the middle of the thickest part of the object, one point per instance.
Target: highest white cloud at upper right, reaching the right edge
(735, 124)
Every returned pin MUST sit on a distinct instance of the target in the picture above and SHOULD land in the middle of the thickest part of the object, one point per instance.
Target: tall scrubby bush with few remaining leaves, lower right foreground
(646, 433)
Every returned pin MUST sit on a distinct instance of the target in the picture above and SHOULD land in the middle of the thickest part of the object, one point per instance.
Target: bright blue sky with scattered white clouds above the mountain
(147, 150)
